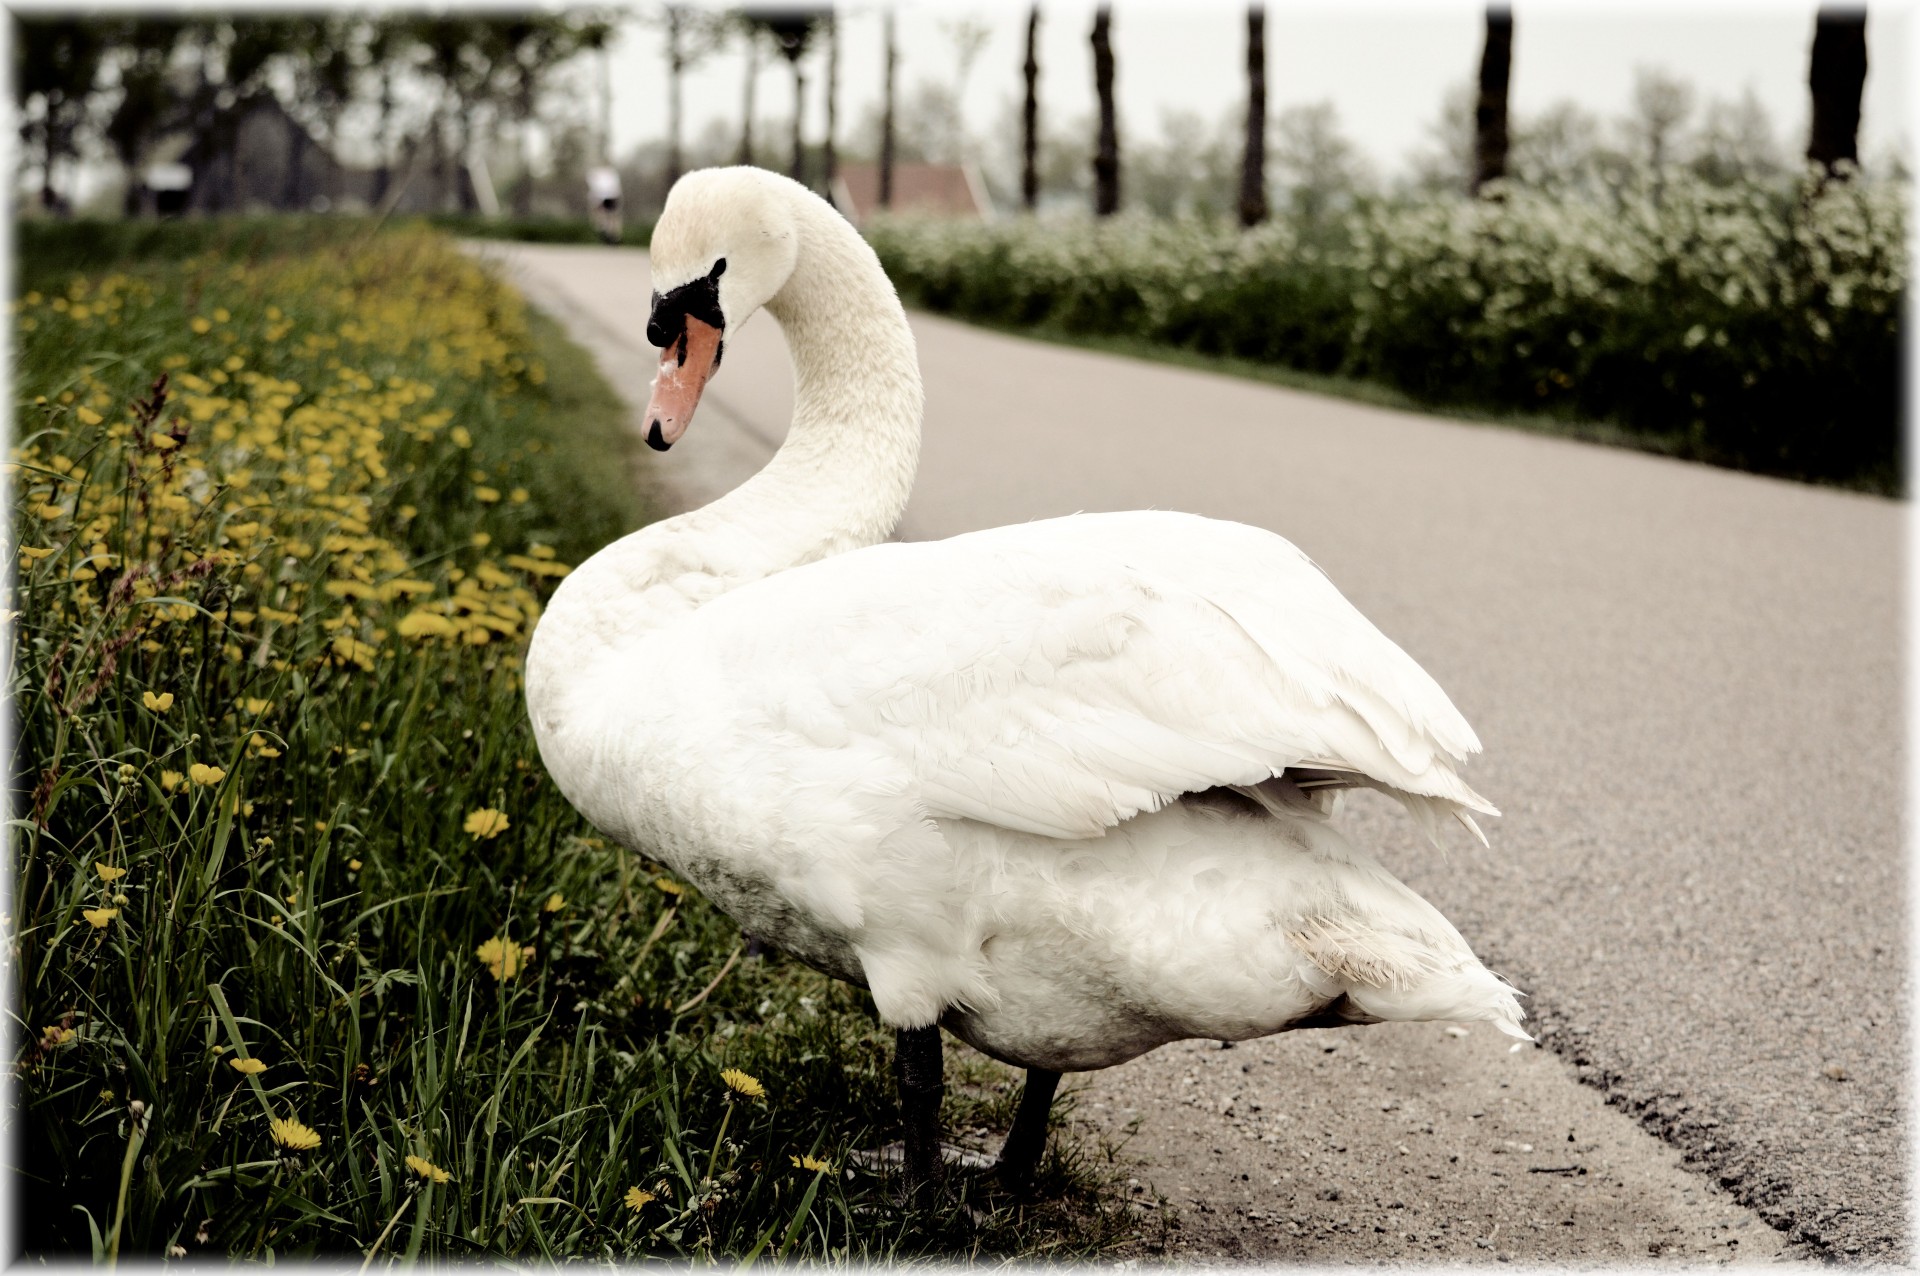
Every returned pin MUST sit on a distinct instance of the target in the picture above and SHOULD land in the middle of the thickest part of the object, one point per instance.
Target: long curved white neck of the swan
(840, 481)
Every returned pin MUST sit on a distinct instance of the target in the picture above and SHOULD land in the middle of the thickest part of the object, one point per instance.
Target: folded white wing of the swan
(1068, 674)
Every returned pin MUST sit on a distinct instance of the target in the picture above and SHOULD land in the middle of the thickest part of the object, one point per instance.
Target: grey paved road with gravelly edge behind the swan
(1691, 692)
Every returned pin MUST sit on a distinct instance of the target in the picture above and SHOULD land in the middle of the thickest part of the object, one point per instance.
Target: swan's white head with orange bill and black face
(725, 245)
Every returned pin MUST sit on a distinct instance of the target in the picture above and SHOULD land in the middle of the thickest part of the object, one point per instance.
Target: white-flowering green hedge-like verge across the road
(1740, 325)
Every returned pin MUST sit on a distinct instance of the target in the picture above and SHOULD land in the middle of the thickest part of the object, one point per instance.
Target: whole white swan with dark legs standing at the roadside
(1063, 788)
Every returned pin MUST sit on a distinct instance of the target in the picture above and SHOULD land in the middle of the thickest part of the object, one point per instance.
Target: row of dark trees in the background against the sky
(429, 89)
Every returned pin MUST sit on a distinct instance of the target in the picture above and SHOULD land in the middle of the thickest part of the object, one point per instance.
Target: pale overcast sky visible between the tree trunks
(1383, 66)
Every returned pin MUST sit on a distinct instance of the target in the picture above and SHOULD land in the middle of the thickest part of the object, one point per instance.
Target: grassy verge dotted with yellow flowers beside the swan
(308, 955)
